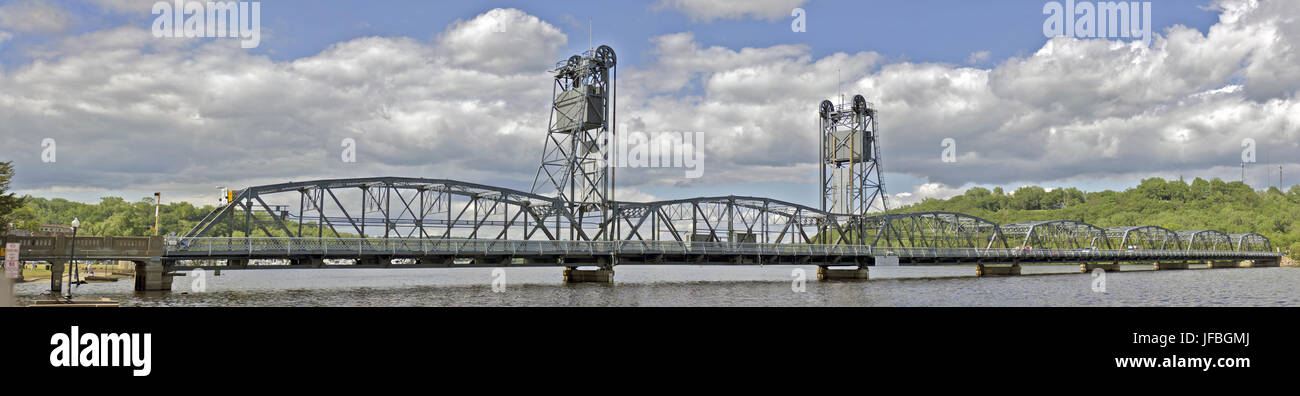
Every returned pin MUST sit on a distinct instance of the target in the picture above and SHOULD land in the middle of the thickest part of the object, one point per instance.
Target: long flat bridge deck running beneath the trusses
(440, 253)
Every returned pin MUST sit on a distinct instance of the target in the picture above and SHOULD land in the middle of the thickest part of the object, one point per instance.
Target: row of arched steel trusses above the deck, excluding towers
(419, 208)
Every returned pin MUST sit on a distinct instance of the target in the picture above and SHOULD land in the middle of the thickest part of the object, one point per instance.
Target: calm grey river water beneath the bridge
(710, 286)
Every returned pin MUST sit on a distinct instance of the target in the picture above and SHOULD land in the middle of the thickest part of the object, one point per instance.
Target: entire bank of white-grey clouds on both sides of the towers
(128, 110)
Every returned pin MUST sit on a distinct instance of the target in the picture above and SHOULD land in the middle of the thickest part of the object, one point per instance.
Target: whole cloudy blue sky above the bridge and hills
(460, 90)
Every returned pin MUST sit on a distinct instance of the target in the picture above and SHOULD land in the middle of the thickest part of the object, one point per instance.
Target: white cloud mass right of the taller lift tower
(1073, 110)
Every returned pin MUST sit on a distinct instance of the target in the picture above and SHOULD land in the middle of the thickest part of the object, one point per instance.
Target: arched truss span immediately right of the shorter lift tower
(938, 230)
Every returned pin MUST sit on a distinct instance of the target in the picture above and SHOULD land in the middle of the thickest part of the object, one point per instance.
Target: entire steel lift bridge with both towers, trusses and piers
(571, 219)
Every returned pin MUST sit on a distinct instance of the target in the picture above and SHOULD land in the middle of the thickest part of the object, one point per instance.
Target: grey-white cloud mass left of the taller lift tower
(127, 110)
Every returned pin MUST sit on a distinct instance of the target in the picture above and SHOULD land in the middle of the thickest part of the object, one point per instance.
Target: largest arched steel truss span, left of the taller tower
(389, 208)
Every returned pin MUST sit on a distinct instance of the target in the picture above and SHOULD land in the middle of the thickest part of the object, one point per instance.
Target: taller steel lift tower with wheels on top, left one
(577, 163)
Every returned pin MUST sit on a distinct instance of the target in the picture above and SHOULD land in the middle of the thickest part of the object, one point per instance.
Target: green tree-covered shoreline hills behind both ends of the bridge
(1228, 207)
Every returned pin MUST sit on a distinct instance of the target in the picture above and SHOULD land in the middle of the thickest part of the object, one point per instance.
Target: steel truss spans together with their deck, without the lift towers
(440, 223)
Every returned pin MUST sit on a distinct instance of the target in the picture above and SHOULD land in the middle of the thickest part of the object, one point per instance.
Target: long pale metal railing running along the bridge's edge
(344, 247)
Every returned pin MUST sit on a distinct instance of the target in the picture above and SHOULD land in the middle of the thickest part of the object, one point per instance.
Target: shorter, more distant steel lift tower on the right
(852, 180)
